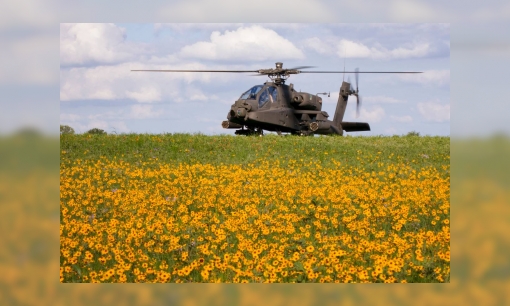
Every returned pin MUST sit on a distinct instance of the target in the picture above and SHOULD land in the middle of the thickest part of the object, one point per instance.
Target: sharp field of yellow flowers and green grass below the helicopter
(194, 208)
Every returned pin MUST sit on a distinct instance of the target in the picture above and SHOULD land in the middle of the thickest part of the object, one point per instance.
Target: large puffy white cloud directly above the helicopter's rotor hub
(246, 43)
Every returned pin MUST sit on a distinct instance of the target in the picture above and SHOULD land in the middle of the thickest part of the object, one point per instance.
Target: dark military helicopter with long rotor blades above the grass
(277, 107)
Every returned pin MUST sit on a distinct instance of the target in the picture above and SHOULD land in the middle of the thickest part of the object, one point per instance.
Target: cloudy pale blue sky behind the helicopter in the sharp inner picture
(98, 90)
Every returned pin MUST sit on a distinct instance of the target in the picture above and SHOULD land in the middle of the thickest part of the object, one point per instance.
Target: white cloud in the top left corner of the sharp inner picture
(84, 43)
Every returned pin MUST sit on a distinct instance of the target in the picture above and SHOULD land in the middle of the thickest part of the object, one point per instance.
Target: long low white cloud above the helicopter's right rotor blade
(351, 49)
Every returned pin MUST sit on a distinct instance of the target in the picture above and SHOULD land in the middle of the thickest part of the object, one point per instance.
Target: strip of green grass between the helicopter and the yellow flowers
(184, 148)
